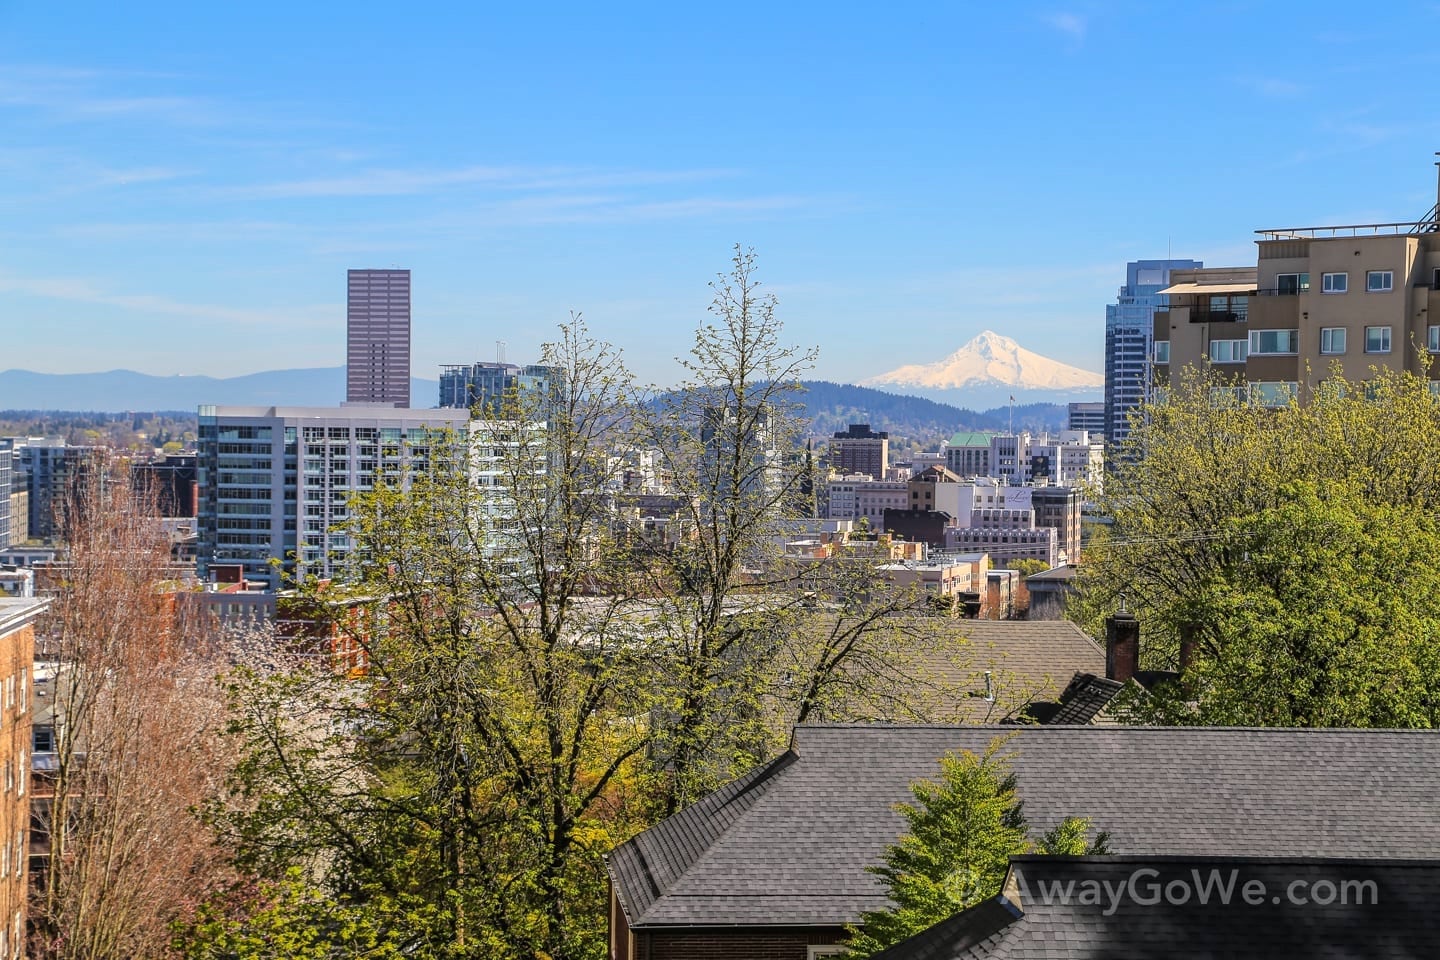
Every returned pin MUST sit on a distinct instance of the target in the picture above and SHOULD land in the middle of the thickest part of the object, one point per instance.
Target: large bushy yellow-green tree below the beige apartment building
(1287, 555)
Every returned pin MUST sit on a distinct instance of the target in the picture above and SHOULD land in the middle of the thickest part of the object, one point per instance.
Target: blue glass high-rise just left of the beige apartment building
(1130, 338)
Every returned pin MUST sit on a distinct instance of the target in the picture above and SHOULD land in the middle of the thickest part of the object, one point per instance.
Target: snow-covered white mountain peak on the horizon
(987, 365)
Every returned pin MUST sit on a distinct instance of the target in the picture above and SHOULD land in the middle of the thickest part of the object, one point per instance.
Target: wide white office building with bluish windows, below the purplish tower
(276, 481)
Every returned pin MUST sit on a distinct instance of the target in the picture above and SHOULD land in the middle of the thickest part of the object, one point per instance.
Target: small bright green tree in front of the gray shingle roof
(963, 833)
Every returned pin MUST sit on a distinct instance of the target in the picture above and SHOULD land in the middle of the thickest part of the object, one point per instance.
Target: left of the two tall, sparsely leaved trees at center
(490, 755)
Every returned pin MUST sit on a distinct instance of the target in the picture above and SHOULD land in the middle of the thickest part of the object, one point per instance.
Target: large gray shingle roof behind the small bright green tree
(790, 844)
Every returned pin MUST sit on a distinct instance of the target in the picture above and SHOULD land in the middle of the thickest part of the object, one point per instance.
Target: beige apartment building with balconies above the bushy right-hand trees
(1350, 299)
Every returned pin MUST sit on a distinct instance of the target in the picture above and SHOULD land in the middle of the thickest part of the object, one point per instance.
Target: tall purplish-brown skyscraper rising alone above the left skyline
(378, 325)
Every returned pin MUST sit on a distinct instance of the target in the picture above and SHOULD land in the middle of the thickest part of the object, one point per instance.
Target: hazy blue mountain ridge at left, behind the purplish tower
(117, 391)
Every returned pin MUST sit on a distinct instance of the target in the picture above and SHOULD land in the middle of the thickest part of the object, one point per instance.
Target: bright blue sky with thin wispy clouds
(184, 186)
